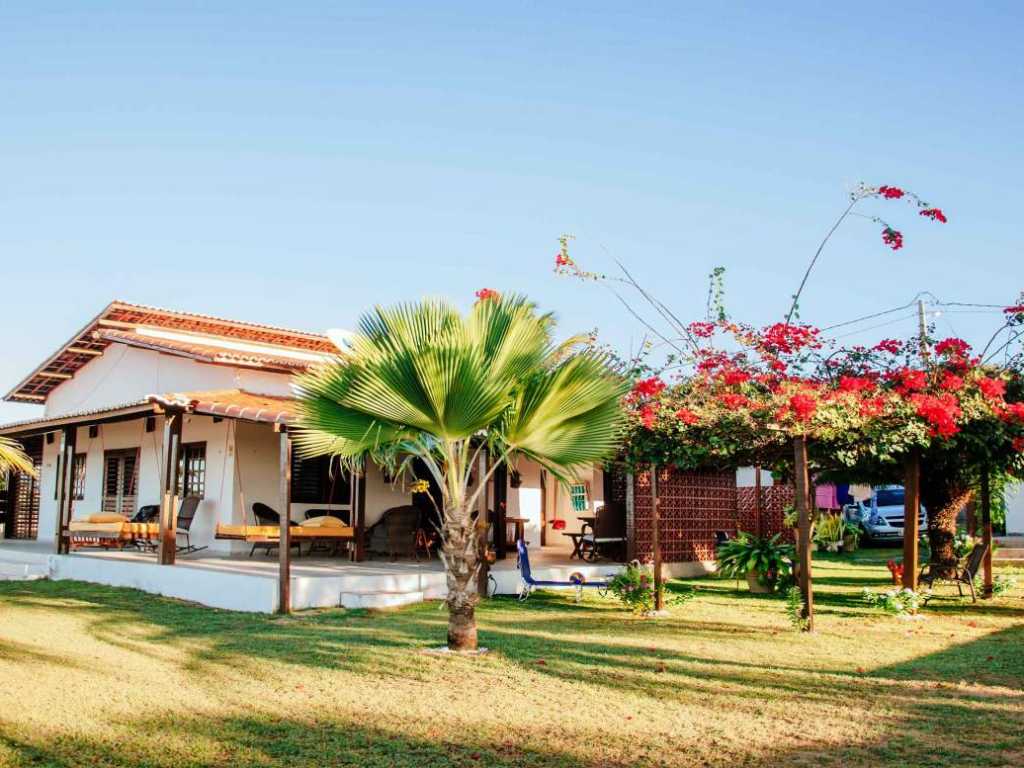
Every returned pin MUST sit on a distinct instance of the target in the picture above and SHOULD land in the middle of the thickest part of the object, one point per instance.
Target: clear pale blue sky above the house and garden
(295, 163)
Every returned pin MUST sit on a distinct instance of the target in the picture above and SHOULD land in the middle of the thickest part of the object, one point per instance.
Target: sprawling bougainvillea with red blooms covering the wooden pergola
(732, 395)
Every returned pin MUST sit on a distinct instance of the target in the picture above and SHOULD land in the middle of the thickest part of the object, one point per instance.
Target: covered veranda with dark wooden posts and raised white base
(225, 574)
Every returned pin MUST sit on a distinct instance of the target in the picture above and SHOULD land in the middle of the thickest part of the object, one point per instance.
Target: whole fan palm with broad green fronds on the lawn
(421, 381)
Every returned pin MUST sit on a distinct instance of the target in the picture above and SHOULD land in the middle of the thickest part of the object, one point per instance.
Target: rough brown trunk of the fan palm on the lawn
(461, 561)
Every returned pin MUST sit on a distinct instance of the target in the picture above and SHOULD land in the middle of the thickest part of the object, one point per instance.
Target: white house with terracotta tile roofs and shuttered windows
(138, 386)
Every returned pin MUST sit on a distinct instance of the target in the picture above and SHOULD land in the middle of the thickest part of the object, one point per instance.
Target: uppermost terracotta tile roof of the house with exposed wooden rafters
(120, 316)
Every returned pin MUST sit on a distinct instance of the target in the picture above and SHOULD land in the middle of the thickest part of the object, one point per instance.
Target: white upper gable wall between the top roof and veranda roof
(126, 374)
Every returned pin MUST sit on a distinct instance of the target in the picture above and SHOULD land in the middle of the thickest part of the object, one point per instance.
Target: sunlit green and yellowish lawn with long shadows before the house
(100, 676)
